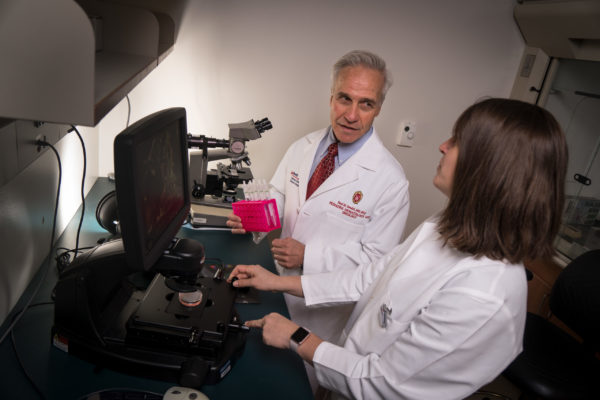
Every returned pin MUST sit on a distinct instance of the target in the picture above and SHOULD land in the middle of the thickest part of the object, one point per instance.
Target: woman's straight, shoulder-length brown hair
(508, 188)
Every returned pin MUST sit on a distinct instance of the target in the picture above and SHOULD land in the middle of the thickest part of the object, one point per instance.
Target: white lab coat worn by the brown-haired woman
(456, 322)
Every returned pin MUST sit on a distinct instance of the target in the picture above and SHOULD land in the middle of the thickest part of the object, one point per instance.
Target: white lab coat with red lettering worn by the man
(357, 215)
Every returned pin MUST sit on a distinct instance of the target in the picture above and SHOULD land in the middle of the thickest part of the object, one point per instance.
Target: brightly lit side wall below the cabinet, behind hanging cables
(27, 204)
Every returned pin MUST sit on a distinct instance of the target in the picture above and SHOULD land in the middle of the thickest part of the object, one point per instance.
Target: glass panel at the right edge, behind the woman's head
(574, 99)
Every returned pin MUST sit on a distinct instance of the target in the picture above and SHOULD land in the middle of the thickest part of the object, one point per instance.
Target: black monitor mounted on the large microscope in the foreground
(151, 177)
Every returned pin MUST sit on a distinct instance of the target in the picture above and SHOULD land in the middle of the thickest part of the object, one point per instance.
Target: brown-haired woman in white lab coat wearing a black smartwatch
(444, 312)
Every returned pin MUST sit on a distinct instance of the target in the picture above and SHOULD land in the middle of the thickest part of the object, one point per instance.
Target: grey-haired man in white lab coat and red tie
(359, 212)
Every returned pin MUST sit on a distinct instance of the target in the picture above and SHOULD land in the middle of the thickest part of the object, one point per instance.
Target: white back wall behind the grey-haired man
(235, 60)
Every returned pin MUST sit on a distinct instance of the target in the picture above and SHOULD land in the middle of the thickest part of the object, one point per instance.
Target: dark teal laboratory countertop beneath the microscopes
(260, 372)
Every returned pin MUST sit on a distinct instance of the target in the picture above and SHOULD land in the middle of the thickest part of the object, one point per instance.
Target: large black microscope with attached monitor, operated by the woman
(143, 303)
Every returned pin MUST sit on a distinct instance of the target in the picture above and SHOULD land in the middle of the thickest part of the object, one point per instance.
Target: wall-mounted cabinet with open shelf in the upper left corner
(71, 62)
